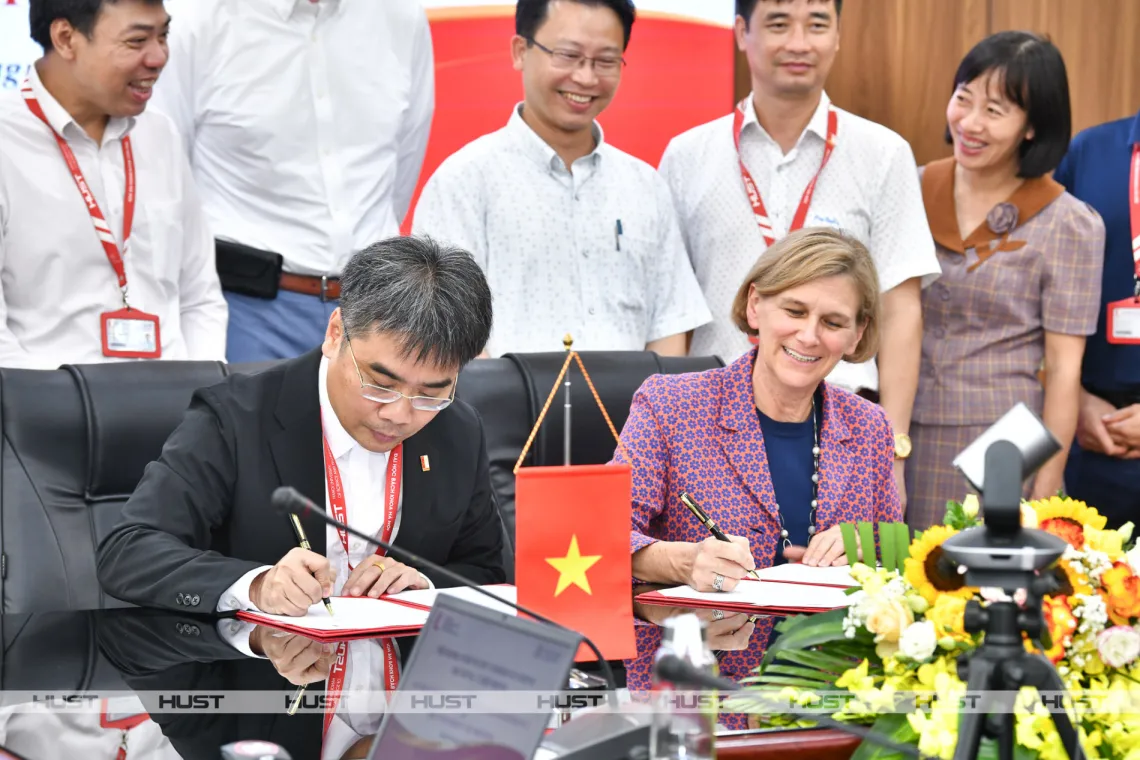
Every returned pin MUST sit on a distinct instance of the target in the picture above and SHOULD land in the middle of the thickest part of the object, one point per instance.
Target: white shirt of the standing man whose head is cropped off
(306, 122)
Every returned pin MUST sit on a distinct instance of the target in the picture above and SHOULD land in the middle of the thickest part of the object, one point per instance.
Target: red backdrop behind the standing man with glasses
(679, 76)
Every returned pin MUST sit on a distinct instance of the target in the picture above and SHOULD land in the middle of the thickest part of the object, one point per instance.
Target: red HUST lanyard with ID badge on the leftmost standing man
(127, 333)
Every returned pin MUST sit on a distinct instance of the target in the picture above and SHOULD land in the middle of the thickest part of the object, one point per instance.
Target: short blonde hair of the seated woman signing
(808, 256)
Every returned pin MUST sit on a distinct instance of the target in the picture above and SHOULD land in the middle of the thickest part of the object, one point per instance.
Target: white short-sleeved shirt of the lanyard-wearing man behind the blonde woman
(869, 190)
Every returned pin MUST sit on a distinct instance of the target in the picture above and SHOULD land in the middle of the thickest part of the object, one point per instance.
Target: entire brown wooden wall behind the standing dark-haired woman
(898, 59)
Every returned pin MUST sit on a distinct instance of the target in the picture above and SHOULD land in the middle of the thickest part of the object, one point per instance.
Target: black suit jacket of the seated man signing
(201, 518)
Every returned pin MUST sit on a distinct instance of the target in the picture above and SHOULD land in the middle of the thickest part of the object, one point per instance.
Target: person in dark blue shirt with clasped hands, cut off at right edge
(1104, 465)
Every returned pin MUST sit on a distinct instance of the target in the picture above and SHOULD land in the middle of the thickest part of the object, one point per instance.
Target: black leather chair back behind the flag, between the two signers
(510, 394)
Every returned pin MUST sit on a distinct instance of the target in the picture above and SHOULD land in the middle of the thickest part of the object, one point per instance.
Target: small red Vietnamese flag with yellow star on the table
(573, 552)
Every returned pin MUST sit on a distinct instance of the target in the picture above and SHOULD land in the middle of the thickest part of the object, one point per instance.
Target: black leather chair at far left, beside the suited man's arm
(75, 445)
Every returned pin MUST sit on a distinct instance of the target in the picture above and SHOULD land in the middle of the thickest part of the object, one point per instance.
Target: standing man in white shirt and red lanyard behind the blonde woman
(791, 136)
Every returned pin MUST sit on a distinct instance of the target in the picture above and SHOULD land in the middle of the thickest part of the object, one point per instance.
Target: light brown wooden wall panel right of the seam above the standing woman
(1100, 40)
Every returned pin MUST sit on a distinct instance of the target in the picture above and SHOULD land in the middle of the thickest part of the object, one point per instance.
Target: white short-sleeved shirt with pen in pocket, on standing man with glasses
(548, 241)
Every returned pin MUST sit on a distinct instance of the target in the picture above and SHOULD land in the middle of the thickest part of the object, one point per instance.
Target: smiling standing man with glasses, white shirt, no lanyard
(575, 236)
